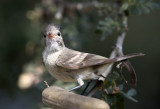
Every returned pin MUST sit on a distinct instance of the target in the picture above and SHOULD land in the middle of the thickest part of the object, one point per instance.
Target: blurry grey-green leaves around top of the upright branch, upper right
(114, 14)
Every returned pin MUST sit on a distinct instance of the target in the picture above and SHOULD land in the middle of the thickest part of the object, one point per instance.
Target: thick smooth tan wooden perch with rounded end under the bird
(58, 98)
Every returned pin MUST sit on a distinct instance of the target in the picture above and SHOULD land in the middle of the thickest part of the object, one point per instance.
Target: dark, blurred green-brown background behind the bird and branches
(21, 44)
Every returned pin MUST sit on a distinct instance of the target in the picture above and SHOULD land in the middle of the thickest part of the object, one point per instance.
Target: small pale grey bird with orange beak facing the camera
(69, 65)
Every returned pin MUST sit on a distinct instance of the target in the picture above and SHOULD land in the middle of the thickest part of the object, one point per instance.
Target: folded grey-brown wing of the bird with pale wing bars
(71, 59)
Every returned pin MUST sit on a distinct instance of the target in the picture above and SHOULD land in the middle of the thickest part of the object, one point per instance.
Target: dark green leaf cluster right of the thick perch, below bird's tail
(112, 93)
